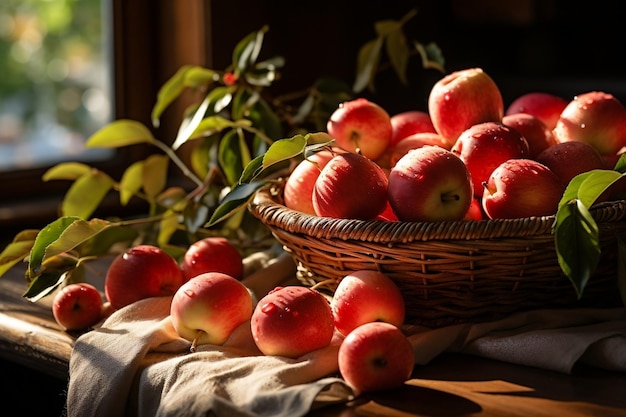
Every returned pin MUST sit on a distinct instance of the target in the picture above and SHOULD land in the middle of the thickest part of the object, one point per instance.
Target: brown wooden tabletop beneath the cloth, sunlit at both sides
(451, 385)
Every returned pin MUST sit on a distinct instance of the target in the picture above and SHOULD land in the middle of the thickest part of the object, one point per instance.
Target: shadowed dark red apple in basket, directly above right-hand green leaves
(568, 159)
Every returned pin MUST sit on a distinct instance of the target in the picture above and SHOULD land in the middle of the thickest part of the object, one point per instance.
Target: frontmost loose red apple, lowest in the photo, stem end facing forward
(375, 356)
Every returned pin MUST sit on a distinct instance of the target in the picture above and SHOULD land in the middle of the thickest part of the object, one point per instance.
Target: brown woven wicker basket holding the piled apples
(449, 272)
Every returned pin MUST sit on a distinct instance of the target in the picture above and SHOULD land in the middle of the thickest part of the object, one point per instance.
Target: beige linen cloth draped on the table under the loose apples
(134, 363)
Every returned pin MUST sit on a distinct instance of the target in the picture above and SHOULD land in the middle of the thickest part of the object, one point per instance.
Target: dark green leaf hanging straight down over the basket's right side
(577, 243)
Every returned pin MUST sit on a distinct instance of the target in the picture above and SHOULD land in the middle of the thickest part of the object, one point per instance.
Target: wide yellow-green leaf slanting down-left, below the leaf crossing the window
(85, 194)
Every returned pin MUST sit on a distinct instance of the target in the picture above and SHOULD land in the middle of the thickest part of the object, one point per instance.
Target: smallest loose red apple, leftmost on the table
(77, 306)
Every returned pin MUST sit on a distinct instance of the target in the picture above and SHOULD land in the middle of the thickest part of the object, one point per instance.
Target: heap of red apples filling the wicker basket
(468, 157)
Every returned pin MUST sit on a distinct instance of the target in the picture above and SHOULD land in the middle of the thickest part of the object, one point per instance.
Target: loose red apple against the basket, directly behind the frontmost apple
(364, 296)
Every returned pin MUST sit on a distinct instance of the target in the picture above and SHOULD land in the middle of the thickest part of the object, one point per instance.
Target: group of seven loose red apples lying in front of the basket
(361, 324)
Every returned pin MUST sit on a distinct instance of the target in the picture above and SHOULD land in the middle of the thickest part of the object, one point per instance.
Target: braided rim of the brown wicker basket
(268, 207)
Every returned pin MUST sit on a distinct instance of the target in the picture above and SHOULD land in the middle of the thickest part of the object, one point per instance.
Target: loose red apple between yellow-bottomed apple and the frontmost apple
(291, 321)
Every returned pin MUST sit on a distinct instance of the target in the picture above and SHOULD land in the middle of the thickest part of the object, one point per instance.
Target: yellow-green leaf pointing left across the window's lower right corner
(120, 133)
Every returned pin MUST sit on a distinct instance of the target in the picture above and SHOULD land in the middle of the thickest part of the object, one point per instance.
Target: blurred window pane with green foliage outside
(55, 81)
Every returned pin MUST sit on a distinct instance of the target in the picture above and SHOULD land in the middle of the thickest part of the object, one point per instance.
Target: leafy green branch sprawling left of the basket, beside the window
(241, 138)
